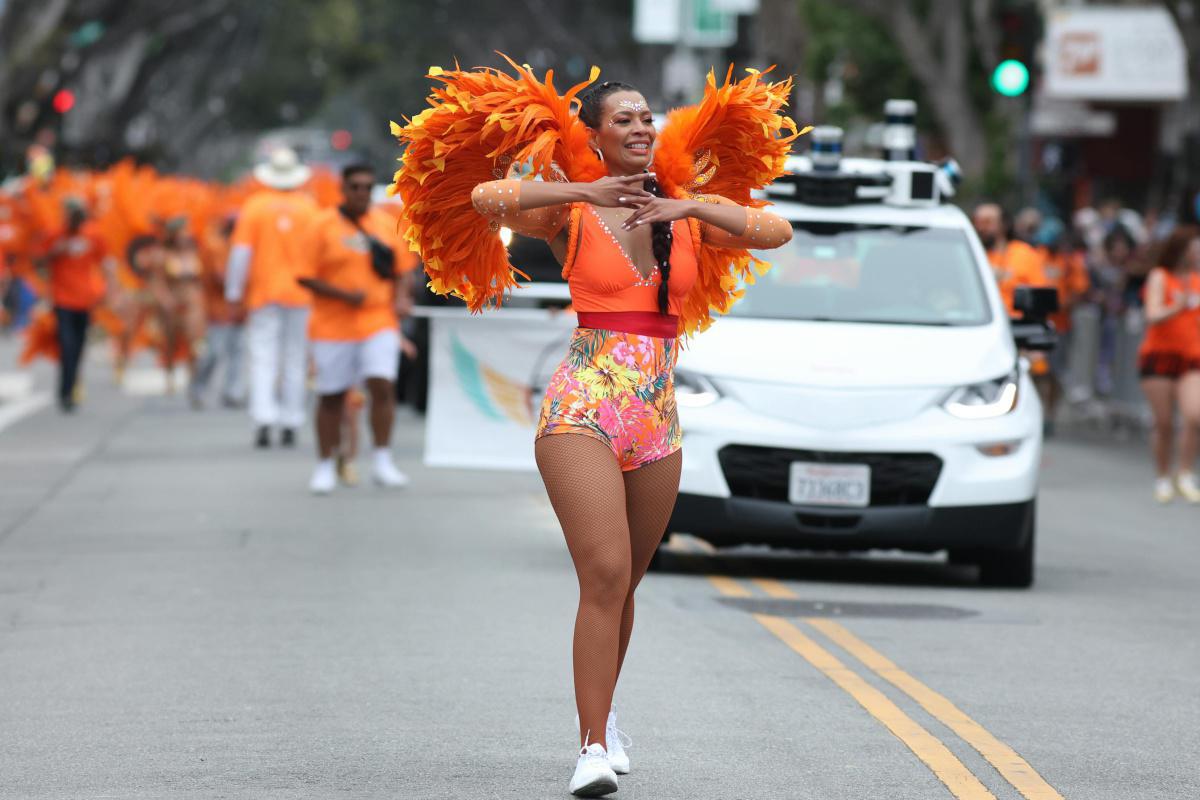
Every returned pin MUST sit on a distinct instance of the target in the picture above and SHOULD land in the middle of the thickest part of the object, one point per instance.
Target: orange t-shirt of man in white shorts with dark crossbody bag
(341, 257)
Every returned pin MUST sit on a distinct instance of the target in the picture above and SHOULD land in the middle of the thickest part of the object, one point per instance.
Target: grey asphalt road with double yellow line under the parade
(179, 619)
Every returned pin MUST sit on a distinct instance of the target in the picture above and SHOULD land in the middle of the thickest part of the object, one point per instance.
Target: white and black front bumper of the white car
(979, 501)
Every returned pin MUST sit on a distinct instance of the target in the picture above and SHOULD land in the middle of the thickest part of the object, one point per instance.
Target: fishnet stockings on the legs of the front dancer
(613, 524)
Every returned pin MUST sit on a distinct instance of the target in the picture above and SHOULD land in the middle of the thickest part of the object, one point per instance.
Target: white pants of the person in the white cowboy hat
(278, 339)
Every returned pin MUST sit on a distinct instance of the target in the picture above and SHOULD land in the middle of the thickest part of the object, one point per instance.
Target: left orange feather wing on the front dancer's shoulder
(481, 124)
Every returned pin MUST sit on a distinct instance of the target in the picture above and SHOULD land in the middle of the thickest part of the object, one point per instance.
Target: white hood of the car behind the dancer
(850, 357)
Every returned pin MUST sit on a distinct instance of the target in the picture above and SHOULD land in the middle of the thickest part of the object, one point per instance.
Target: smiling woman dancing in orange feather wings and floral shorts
(649, 260)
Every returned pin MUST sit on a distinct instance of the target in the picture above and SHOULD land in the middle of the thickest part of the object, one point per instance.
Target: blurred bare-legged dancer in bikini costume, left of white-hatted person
(181, 300)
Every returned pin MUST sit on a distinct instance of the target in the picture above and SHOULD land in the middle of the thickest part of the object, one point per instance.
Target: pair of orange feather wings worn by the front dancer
(483, 123)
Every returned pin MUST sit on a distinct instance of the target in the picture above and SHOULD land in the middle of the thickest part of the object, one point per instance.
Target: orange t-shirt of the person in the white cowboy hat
(275, 226)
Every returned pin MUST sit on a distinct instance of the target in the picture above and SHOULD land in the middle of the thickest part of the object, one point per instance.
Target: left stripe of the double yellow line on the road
(937, 756)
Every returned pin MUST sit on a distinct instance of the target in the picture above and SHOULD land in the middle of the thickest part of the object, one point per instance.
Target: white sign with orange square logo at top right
(1115, 55)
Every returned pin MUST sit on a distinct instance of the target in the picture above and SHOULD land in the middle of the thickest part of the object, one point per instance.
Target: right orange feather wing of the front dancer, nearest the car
(731, 143)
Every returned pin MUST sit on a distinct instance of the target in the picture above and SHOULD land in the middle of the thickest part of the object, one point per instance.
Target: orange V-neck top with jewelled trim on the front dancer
(604, 279)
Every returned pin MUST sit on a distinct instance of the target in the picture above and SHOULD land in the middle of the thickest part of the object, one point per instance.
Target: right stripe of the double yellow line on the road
(1006, 761)
